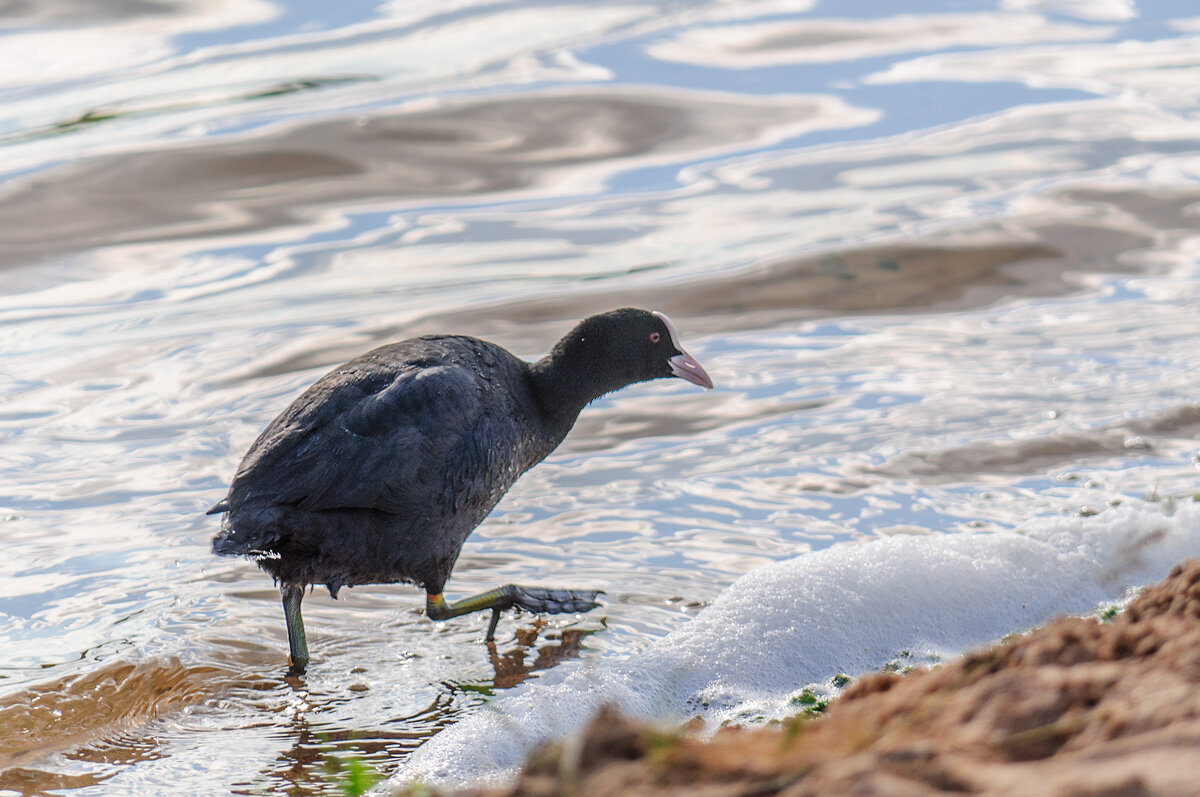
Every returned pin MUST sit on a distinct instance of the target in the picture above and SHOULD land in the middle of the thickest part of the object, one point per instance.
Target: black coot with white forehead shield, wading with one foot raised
(380, 471)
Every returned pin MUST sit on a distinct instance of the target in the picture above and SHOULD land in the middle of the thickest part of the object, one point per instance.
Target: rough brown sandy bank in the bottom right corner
(1081, 708)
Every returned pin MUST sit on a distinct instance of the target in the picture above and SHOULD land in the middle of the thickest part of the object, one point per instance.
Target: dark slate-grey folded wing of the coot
(395, 445)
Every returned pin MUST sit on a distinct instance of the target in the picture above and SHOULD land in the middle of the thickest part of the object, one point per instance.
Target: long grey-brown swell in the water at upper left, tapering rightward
(469, 148)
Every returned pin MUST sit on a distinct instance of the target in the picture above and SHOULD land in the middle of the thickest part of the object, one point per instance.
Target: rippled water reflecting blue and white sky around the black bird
(941, 262)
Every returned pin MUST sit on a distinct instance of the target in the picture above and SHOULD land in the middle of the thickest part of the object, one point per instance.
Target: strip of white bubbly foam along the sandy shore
(849, 609)
